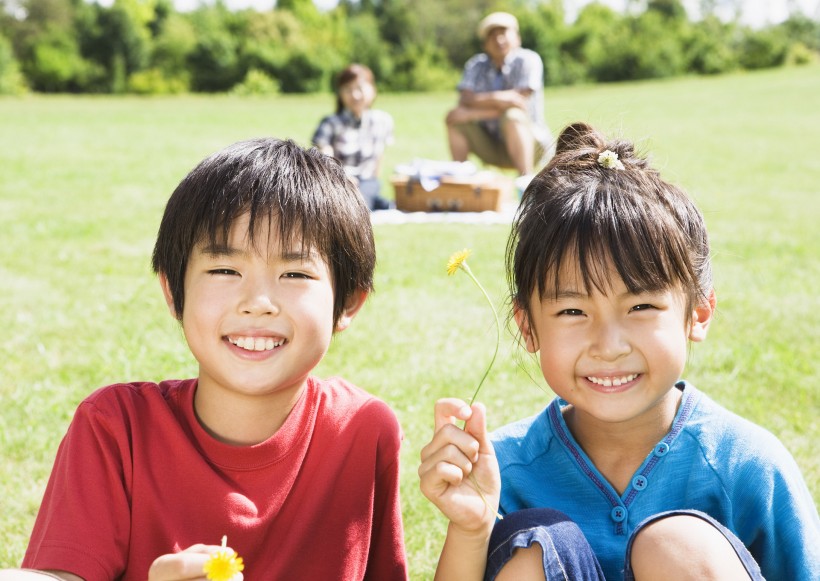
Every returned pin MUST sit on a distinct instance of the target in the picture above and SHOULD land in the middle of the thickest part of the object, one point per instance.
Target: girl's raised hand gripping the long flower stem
(449, 459)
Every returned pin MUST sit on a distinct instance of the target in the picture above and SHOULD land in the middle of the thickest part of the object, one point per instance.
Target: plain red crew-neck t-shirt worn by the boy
(137, 476)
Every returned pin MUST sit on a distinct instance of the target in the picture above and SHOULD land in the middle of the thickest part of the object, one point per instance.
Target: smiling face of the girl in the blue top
(613, 356)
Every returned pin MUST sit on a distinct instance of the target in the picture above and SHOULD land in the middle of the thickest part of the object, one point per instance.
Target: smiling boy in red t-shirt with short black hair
(265, 250)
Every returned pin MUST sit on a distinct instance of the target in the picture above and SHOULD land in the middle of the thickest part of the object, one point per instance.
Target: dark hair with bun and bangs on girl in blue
(576, 208)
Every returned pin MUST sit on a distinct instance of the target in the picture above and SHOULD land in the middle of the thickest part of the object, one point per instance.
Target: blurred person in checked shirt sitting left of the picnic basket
(357, 135)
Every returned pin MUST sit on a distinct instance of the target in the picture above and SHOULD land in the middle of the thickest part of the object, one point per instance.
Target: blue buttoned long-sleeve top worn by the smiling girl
(711, 460)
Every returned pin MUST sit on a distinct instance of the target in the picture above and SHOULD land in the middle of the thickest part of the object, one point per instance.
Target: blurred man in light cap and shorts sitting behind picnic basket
(500, 113)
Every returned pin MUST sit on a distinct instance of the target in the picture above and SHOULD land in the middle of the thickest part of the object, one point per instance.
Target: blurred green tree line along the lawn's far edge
(148, 47)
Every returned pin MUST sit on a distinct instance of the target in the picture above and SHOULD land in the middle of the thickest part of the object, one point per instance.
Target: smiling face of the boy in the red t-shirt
(257, 319)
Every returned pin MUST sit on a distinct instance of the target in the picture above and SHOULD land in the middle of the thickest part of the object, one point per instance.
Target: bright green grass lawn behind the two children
(83, 182)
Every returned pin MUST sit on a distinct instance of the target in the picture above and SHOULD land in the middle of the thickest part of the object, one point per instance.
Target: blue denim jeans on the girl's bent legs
(567, 554)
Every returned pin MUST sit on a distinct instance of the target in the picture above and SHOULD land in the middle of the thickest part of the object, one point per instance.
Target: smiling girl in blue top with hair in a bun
(630, 473)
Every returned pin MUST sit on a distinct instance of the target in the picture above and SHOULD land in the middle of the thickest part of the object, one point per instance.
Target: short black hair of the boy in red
(304, 192)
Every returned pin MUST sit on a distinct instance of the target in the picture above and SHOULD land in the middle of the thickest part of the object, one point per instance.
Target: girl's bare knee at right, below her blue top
(685, 547)
